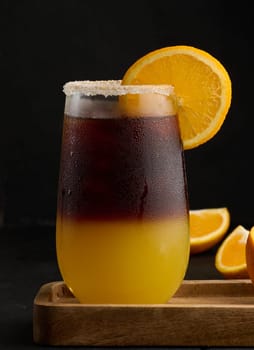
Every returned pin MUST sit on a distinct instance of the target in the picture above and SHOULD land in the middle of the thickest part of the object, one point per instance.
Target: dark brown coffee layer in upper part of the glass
(121, 168)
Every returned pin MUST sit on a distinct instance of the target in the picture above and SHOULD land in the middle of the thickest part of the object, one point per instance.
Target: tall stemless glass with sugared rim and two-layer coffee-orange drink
(122, 232)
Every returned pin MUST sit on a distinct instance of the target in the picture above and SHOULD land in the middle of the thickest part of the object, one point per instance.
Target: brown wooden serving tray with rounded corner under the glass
(202, 313)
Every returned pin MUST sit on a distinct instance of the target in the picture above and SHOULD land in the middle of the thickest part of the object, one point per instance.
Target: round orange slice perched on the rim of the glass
(202, 88)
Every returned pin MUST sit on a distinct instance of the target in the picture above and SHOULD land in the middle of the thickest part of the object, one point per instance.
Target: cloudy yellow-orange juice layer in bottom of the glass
(123, 261)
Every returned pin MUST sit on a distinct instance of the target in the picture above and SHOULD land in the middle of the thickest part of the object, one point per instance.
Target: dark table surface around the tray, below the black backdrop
(28, 260)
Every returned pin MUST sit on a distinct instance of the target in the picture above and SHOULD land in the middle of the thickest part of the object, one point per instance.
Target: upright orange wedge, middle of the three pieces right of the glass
(230, 259)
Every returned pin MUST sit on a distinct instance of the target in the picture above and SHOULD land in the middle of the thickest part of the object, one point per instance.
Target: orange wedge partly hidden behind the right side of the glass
(207, 227)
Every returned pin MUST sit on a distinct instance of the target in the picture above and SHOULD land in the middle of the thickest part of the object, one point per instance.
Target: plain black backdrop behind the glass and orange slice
(47, 43)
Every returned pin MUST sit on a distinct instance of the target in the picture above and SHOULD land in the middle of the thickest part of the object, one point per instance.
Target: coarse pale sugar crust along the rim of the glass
(113, 88)
